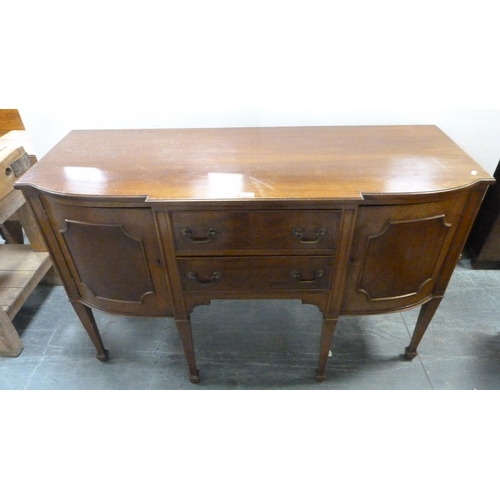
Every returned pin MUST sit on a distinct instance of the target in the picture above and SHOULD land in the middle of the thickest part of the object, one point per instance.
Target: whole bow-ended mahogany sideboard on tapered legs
(355, 220)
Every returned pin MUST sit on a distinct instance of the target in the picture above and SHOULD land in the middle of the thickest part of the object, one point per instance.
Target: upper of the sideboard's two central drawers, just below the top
(273, 230)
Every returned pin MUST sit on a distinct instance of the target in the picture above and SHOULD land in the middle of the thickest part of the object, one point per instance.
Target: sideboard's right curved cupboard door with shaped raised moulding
(398, 252)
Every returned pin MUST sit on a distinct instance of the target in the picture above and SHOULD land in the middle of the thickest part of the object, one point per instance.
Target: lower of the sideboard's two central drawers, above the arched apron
(255, 273)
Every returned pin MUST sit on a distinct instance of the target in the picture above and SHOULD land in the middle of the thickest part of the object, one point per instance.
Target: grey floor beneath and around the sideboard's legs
(264, 345)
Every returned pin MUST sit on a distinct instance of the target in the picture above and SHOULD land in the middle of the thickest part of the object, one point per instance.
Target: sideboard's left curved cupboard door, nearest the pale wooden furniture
(113, 256)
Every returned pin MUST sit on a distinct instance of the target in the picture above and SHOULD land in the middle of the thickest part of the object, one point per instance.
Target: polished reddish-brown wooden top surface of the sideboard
(255, 163)
